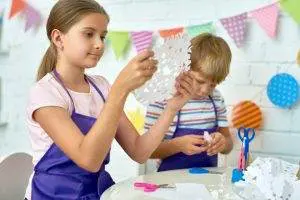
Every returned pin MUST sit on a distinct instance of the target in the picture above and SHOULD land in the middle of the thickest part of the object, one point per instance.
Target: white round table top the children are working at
(217, 184)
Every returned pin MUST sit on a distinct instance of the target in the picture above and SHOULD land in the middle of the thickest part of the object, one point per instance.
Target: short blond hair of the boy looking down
(211, 55)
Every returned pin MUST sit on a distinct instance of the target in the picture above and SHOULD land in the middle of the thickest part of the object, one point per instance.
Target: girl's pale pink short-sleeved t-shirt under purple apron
(48, 92)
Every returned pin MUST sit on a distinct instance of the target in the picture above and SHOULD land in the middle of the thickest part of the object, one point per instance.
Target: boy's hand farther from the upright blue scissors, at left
(191, 144)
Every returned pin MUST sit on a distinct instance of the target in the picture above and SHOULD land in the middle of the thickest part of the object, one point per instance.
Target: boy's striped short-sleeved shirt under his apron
(195, 114)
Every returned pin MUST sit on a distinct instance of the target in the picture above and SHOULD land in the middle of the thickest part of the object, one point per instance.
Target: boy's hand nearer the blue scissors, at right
(218, 144)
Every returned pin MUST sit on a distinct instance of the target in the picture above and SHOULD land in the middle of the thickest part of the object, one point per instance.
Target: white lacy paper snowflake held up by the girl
(173, 57)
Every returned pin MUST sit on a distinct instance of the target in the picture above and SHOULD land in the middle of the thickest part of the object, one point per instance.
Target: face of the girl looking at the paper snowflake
(83, 44)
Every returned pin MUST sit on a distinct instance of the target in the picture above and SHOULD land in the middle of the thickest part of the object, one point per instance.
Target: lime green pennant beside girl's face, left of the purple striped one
(119, 41)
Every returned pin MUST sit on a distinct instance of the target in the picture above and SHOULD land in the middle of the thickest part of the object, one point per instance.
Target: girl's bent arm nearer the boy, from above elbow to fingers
(140, 147)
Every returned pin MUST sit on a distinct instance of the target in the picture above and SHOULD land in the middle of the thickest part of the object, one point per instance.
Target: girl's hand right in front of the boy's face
(184, 91)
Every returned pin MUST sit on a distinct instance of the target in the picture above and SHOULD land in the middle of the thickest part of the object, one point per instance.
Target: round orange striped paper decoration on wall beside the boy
(246, 114)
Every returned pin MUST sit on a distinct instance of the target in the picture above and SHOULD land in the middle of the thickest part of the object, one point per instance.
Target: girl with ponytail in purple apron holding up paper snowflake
(73, 118)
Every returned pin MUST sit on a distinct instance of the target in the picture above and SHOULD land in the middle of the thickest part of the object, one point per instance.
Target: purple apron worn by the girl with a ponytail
(58, 177)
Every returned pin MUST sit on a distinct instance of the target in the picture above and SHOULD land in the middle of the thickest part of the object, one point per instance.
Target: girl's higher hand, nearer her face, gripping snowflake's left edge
(139, 70)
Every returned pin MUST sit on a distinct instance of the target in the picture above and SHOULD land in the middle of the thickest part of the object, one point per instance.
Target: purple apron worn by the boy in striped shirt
(183, 161)
